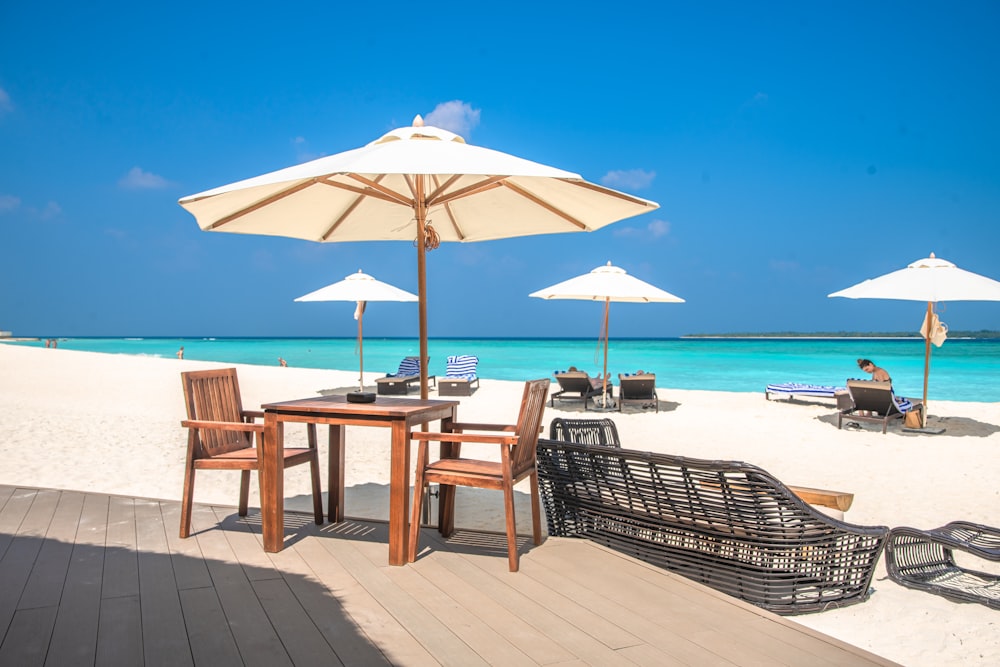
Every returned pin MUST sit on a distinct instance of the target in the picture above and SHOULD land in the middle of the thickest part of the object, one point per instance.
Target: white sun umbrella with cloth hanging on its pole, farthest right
(932, 280)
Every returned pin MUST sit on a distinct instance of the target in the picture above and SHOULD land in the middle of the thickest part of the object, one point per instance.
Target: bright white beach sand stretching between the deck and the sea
(110, 424)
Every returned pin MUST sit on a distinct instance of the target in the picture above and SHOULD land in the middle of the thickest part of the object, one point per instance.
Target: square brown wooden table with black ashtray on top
(399, 414)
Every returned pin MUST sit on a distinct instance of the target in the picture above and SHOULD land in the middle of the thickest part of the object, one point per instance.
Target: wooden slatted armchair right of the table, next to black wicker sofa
(517, 461)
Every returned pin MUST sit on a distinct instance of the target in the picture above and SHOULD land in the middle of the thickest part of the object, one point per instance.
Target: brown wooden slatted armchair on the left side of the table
(221, 437)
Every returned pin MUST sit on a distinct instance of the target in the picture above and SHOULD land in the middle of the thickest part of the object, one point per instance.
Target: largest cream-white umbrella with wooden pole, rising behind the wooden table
(413, 183)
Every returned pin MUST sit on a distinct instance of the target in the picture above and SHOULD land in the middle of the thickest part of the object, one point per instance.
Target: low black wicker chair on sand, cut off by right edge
(924, 559)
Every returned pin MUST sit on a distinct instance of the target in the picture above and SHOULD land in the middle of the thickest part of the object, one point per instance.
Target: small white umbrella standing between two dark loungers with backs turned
(607, 283)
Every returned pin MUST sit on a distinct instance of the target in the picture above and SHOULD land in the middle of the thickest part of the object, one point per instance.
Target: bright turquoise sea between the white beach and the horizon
(961, 369)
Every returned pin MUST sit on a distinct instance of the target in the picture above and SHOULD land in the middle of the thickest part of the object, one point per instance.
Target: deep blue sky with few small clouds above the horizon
(795, 148)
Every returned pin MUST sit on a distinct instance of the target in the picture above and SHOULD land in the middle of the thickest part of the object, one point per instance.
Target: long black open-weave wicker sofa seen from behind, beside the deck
(726, 524)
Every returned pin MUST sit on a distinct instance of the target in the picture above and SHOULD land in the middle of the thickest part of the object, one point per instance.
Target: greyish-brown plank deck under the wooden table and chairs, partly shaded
(97, 579)
